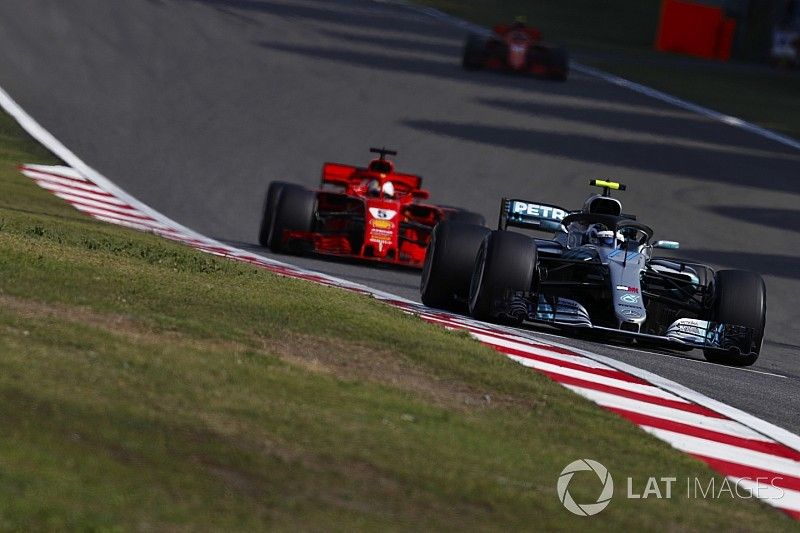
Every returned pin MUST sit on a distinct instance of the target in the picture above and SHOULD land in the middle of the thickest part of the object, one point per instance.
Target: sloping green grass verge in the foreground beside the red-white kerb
(144, 385)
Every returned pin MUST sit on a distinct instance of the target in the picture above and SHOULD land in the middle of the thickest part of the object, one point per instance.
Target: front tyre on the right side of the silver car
(740, 298)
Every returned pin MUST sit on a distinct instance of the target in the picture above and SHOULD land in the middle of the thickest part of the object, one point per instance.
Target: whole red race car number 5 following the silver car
(370, 213)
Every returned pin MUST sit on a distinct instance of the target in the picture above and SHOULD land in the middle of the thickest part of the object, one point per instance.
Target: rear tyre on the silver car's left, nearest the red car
(449, 260)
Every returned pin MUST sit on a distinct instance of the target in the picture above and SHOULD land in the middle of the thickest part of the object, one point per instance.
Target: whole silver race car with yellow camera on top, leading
(598, 275)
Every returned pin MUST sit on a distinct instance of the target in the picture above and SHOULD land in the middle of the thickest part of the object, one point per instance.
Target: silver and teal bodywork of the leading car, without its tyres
(615, 281)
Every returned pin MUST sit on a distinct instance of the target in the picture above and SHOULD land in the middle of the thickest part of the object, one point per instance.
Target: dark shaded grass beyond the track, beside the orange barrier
(617, 36)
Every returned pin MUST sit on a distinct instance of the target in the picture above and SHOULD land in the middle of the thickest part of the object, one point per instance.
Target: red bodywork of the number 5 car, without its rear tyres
(351, 222)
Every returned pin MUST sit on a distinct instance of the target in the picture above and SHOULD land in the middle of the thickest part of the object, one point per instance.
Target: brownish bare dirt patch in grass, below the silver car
(348, 360)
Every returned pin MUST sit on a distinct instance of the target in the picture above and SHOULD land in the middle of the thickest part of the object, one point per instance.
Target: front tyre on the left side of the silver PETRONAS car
(506, 260)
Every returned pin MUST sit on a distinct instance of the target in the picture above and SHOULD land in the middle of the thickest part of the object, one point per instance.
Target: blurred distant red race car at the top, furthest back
(516, 48)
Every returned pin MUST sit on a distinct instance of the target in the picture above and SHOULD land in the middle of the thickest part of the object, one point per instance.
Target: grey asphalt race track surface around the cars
(193, 106)
